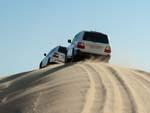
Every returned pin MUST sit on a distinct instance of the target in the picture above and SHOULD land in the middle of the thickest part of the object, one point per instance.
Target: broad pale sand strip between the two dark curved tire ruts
(115, 101)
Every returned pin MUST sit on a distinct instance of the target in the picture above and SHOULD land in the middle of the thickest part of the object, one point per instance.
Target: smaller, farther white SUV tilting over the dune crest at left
(56, 55)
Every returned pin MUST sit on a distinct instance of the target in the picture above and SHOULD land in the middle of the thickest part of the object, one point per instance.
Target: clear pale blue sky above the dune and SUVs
(28, 28)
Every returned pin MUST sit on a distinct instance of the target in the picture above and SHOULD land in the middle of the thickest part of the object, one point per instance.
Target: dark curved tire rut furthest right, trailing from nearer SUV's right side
(125, 87)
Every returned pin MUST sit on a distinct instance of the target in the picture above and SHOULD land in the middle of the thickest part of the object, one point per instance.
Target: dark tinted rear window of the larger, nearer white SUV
(96, 37)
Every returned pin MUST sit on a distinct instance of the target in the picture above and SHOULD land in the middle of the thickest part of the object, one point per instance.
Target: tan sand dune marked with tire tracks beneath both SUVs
(86, 87)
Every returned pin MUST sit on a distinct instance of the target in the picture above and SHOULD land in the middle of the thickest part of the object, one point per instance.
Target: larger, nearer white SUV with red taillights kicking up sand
(88, 43)
